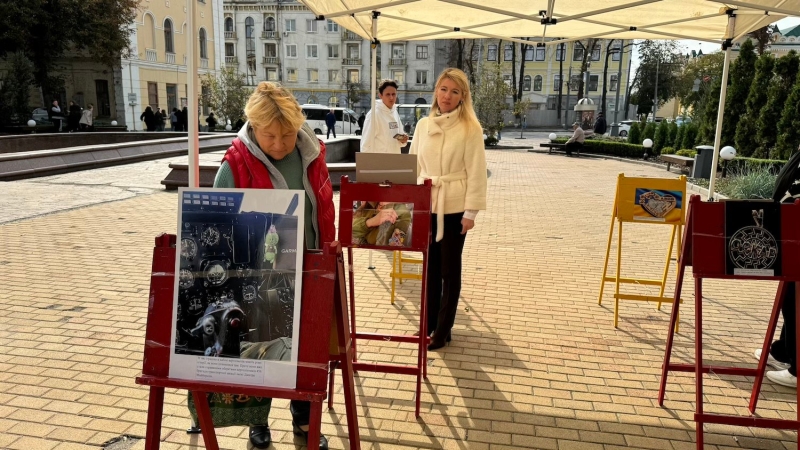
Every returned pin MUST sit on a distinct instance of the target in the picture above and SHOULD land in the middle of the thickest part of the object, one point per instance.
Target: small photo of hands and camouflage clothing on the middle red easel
(386, 224)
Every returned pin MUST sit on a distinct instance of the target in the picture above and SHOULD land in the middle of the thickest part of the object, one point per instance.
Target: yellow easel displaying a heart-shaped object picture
(644, 200)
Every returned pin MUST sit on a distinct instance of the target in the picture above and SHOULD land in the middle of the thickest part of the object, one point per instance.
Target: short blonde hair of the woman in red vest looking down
(270, 102)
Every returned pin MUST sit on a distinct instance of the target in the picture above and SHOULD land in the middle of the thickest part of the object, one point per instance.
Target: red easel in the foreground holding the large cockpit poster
(323, 299)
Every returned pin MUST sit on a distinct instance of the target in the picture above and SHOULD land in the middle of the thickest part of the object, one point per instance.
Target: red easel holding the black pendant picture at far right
(704, 249)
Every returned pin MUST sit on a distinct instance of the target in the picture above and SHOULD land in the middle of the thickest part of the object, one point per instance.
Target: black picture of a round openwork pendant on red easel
(753, 238)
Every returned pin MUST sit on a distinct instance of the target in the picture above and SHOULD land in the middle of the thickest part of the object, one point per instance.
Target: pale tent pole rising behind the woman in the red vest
(192, 111)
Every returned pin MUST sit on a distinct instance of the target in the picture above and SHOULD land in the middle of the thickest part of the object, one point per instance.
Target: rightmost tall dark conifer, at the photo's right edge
(785, 73)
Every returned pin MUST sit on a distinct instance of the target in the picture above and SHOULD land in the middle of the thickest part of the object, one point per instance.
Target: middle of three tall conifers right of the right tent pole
(745, 137)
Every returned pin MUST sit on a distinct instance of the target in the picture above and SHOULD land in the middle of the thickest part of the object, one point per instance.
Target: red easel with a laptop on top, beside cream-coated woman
(420, 196)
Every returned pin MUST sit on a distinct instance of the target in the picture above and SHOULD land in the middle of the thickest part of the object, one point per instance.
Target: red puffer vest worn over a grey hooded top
(249, 172)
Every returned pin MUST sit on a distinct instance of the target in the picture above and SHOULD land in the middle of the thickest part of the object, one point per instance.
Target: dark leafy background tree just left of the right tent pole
(659, 65)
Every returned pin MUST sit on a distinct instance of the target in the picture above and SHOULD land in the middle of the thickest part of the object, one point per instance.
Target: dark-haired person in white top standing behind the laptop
(383, 123)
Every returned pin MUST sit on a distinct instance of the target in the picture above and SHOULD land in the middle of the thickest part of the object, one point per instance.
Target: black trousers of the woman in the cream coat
(444, 274)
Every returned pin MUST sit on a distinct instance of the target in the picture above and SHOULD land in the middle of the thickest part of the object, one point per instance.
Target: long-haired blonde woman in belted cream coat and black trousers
(450, 153)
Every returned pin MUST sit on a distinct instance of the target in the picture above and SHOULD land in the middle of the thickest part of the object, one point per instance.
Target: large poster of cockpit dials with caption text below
(237, 293)
